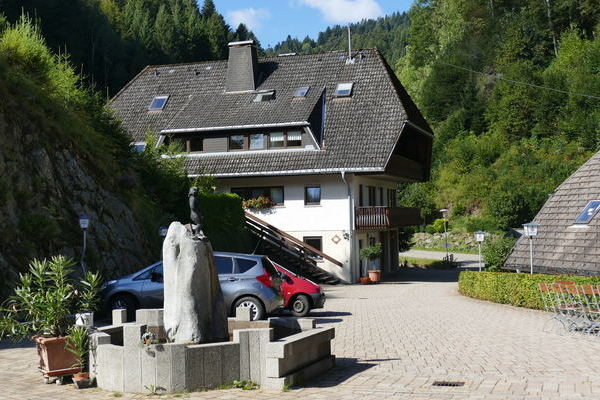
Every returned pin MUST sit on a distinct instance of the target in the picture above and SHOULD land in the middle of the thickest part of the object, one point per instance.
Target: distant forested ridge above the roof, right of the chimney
(388, 34)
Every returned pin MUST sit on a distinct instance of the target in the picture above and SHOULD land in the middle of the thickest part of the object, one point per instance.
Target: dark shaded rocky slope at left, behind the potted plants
(45, 185)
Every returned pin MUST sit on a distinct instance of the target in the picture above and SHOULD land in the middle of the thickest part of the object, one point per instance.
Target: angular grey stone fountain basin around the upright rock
(272, 353)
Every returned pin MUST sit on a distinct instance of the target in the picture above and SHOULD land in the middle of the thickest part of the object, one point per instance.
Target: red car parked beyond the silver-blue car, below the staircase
(299, 294)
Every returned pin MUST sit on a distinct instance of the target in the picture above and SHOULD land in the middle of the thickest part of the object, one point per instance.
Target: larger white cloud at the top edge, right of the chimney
(344, 11)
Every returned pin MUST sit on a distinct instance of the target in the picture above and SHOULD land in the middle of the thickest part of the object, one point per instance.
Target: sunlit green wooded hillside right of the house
(482, 73)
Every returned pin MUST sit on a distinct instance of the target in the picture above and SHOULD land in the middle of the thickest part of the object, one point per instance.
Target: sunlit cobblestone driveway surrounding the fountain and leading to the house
(393, 340)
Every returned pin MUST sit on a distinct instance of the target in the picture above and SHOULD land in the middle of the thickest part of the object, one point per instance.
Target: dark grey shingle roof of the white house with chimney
(360, 132)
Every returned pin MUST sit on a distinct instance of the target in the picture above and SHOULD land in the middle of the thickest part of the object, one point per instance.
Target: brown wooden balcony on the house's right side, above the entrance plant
(381, 217)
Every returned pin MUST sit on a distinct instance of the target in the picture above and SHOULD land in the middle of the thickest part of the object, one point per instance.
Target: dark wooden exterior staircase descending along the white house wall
(291, 253)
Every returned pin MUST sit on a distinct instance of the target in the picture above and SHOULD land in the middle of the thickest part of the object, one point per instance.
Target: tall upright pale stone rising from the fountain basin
(194, 309)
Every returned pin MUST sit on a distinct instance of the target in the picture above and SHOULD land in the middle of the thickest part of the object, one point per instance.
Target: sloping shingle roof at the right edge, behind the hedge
(561, 246)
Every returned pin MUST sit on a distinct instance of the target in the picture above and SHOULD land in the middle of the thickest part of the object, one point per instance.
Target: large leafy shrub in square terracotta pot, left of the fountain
(43, 307)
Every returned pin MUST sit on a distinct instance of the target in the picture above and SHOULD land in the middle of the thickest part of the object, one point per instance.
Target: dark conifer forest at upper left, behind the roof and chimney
(110, 41)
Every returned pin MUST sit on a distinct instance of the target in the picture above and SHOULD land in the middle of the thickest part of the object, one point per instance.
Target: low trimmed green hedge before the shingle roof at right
(519, 290)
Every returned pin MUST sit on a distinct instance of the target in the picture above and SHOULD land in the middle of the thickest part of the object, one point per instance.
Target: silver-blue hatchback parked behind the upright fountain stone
(246, 280)
